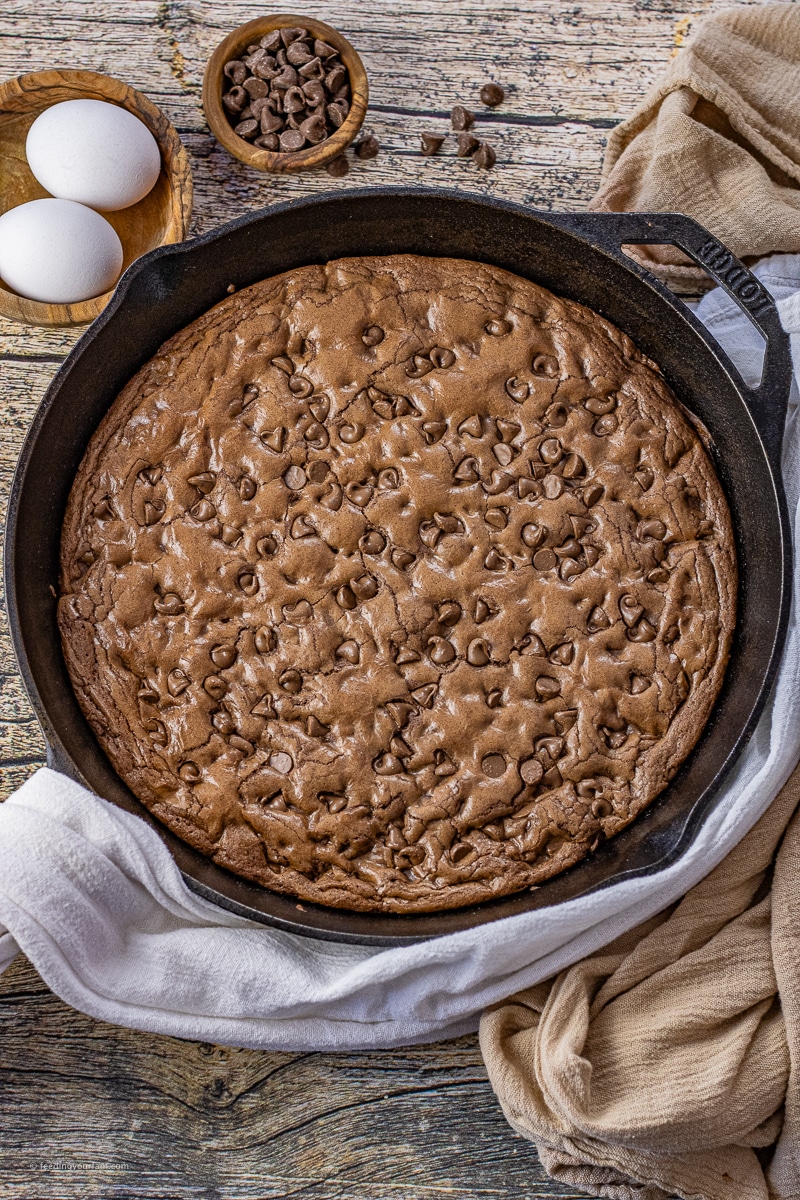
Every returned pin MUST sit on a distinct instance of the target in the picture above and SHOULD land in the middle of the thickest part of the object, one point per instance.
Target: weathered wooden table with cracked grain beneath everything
(89, 1111)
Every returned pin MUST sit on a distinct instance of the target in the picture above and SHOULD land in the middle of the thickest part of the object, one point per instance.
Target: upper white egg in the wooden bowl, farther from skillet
(93, 153)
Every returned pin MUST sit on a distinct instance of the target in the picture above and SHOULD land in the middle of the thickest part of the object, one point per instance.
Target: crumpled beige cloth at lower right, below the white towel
(661, 1064)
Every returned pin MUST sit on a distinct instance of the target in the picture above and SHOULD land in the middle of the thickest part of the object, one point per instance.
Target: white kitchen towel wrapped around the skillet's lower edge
(92, 896)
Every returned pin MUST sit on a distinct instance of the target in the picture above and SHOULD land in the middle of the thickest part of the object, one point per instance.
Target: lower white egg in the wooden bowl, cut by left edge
(58, 251)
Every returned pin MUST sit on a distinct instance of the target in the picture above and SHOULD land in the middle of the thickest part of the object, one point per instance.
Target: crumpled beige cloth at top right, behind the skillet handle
(718, 139)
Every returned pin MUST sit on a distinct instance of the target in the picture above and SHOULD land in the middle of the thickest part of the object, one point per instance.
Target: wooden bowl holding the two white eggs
(158, 220)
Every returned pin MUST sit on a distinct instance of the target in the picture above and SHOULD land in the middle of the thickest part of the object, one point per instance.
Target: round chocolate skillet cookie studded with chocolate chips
(398, 584)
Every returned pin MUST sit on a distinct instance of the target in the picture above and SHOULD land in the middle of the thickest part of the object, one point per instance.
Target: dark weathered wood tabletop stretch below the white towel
(94, 1112)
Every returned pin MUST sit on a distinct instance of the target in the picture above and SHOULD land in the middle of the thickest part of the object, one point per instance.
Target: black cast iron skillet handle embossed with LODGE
(611, 231)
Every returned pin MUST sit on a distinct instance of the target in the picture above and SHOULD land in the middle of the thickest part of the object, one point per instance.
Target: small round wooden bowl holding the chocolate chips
(272, 160)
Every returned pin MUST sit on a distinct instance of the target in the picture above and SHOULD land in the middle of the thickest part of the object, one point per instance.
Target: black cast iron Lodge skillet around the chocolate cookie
(575, 255)
